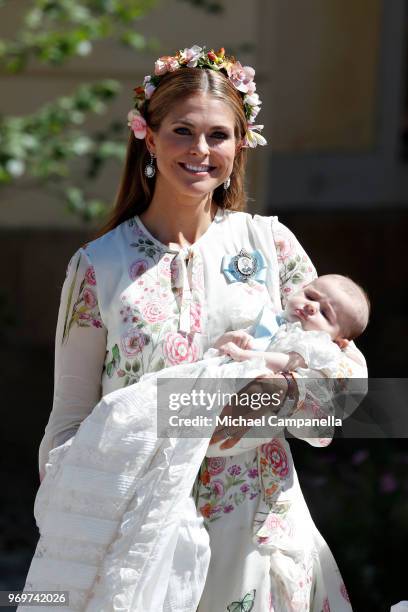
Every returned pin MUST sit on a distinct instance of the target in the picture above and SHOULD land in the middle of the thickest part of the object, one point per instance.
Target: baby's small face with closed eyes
(322, 306)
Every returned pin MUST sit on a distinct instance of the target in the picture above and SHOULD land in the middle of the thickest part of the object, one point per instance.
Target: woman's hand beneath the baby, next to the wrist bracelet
(270, 384)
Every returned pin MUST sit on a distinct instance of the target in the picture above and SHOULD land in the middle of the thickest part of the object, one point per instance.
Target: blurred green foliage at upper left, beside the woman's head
(47, 145)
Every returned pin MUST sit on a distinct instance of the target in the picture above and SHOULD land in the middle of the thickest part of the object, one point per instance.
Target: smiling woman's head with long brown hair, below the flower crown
(173, 116)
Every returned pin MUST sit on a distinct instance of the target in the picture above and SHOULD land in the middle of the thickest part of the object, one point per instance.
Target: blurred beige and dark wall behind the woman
(334, 83)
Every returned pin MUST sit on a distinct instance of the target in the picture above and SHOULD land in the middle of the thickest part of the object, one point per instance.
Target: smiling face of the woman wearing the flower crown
(195, 146)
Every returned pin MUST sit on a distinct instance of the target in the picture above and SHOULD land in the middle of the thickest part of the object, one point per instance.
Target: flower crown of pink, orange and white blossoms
(242, 78)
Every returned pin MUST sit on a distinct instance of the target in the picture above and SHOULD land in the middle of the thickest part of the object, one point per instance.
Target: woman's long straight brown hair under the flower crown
(135, 190)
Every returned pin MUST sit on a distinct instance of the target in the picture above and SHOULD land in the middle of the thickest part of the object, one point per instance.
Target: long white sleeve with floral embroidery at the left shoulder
(80, 348)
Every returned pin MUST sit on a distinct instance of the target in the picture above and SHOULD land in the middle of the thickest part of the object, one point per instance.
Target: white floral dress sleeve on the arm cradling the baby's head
(341, 385)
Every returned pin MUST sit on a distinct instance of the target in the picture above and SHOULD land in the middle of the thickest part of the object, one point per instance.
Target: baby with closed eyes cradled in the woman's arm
(334, 307)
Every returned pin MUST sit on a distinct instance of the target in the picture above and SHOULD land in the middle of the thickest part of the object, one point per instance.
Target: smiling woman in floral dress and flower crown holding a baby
(150, 293)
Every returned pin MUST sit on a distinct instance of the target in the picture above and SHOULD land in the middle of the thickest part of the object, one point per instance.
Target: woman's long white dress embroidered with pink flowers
(129, 306)
